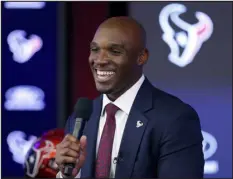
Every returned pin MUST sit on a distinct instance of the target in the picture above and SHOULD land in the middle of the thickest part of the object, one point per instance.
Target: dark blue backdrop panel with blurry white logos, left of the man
(29, 79)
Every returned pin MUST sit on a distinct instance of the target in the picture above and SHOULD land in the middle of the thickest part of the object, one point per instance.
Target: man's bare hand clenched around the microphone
(70, 150)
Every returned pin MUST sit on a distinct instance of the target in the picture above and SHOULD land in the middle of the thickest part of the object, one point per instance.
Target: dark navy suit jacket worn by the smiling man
(169, 144)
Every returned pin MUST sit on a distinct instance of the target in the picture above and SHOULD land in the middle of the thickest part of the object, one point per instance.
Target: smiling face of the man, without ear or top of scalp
(113, 60)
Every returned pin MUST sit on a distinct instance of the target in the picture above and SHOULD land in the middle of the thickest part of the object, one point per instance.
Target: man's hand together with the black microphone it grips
(71, 152)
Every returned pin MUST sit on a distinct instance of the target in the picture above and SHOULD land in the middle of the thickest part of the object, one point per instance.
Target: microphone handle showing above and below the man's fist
(77, 132)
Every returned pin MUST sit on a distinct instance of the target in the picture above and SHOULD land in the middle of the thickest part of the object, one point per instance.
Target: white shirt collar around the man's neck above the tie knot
(125, 101)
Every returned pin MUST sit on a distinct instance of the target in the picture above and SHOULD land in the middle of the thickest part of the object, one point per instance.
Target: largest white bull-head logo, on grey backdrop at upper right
(190, 38)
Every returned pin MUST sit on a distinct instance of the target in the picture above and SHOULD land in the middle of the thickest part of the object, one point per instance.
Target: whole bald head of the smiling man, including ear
(117, 55)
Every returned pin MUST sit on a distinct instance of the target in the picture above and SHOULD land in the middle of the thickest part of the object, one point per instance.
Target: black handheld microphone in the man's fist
(82, 112)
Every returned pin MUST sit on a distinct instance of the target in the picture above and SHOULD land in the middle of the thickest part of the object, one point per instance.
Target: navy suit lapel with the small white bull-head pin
(134, 130)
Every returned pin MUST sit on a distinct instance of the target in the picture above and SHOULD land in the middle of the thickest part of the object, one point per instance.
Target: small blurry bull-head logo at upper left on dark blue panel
(23, 49)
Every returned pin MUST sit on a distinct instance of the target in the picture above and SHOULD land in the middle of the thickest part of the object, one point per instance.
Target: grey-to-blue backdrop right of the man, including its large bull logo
(190, 46)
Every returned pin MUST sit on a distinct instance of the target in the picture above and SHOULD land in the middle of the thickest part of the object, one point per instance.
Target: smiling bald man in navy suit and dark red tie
(149, 134)
